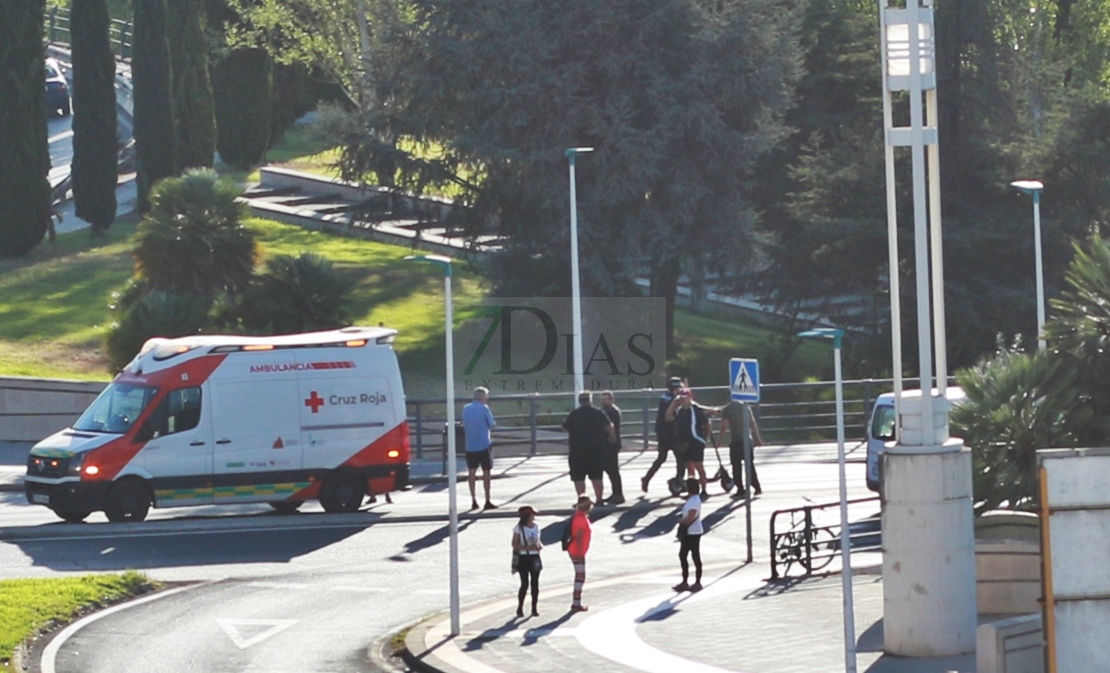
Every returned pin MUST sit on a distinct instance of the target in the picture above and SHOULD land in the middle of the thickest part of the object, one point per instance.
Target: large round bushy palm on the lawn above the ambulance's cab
(194, 240)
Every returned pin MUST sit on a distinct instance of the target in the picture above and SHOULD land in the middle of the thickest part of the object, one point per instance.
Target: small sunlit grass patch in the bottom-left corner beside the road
(31, 606)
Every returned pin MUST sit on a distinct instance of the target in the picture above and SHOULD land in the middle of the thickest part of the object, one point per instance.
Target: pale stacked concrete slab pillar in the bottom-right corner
(1079, 535)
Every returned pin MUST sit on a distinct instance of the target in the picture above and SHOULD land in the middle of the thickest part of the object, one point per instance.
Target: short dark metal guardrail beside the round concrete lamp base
(811, 543)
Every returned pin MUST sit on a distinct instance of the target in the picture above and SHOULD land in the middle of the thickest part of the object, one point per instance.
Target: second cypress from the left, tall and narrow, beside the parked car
(95, 167)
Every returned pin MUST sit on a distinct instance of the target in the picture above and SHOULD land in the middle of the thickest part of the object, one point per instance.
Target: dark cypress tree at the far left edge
(25, 156)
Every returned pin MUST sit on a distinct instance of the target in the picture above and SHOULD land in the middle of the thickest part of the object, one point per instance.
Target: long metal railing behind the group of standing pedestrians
(528, 425)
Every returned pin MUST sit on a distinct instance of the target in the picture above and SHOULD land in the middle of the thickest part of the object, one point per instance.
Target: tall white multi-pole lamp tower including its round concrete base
(929, 538)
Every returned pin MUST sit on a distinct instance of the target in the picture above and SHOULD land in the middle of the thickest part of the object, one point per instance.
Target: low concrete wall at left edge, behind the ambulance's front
(32, 409)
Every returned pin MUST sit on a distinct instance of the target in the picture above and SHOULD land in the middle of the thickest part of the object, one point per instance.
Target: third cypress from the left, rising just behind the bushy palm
(152, 77)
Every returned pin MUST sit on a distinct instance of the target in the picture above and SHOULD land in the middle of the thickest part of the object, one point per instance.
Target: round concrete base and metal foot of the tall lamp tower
(929, 544)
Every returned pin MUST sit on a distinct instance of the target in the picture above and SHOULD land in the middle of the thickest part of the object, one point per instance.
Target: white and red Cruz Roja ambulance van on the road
(220, 420)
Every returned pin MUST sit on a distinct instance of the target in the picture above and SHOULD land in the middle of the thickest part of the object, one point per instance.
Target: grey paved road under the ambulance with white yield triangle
(316, 591)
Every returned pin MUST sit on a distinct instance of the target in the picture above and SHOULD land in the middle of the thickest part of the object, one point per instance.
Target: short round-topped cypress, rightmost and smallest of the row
(243, 83)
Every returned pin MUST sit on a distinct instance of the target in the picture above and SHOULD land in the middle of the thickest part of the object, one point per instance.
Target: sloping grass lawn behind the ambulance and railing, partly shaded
(56, 304)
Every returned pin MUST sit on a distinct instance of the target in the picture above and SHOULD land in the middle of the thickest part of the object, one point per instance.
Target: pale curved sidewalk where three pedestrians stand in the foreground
(638, 624)
